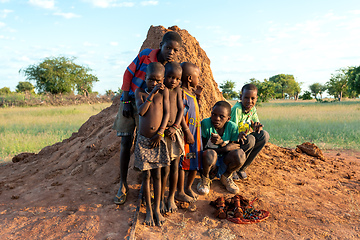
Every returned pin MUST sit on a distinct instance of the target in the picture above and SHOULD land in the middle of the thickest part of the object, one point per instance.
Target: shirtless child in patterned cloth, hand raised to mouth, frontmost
(150, 150)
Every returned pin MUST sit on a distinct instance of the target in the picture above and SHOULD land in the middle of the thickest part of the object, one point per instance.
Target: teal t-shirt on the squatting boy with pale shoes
(231, 132)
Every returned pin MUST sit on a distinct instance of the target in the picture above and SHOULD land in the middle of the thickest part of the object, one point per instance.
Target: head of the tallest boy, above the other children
(170, 46)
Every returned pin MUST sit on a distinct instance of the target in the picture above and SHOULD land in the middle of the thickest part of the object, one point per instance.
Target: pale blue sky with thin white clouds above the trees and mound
(310, 39)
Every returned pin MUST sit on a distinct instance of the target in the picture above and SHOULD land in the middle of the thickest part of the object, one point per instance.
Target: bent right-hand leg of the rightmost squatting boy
(260, 140)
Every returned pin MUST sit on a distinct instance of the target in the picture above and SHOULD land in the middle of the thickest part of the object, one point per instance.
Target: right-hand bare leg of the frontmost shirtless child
(156, 176)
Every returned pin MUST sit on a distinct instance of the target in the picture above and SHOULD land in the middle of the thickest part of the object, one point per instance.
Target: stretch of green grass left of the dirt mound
(31, 129)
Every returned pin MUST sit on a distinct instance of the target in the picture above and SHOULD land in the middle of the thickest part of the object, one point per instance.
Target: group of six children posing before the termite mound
(161, 97)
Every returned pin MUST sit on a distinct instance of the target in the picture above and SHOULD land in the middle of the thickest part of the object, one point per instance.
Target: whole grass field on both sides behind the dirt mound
(328, 125)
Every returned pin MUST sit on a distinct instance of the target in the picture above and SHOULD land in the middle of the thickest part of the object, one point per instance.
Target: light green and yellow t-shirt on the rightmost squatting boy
(242, 119)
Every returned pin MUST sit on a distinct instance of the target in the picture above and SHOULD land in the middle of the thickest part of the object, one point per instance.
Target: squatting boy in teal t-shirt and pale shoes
(219, 135)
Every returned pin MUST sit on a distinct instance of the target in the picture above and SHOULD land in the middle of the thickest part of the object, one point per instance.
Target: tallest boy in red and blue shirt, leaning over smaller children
(127, 117)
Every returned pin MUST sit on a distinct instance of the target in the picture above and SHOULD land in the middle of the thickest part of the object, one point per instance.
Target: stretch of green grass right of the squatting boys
(329, 125)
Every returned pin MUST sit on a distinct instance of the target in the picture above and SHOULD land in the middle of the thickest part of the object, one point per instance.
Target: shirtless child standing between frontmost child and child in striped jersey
(173, 134)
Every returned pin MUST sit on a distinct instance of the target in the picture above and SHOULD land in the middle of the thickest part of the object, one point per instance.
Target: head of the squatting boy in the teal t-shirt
(220, 114)
